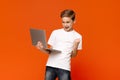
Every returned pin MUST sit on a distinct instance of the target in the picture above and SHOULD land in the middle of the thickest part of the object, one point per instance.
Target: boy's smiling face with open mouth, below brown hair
(67, 23)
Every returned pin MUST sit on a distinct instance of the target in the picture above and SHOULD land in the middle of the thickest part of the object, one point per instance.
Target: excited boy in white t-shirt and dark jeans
(68, 41)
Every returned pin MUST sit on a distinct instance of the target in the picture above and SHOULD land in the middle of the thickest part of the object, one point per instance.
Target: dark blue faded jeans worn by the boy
(52, 73)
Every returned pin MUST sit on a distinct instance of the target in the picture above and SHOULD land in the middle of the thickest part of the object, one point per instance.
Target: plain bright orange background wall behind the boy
(97, 20)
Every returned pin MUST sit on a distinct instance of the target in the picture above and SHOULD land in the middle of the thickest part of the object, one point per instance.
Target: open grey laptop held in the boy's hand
(40, 35)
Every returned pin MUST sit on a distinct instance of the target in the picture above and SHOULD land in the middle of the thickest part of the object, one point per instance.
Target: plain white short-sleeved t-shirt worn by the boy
(63, 41)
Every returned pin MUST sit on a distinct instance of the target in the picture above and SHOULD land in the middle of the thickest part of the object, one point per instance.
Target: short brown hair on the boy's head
(68, 13)
